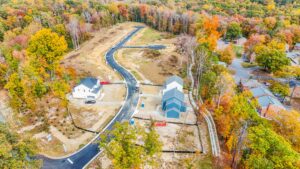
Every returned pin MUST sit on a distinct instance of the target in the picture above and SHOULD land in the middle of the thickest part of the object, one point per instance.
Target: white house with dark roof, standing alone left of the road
(87, 88)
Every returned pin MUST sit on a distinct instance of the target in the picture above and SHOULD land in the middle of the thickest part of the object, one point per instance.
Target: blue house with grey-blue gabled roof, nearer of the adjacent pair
(173, 103)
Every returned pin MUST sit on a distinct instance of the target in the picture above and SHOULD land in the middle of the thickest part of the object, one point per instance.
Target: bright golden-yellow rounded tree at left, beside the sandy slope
(46, 49)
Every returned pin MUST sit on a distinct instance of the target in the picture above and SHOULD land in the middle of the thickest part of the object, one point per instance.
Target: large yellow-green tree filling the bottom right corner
(269, 150)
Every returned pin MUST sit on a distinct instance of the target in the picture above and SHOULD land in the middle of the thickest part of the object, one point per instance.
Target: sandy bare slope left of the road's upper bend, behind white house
(89, 59)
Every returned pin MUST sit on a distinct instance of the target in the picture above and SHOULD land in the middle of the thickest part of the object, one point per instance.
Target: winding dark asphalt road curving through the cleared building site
(85, 155)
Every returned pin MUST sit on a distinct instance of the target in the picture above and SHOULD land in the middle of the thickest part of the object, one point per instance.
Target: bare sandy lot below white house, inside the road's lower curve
(93, 117)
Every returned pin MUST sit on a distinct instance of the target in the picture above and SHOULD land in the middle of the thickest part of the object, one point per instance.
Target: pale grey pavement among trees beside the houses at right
(240, 71)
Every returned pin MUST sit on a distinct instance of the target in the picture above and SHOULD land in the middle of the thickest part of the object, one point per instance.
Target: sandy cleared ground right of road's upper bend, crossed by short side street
(156, 69)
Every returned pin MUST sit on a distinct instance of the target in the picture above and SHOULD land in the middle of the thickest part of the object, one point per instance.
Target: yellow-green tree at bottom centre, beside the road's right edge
(121, 146)
